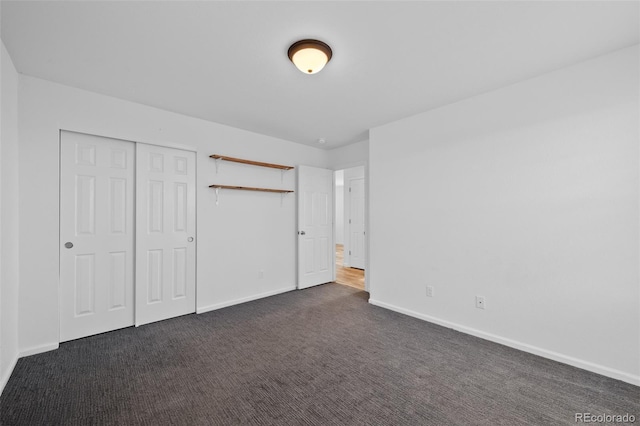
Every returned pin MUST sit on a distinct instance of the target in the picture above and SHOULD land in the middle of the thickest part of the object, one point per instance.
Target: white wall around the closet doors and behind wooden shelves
(246, 233)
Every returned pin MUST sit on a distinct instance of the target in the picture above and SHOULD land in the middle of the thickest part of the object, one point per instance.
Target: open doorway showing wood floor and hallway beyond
(350, 227)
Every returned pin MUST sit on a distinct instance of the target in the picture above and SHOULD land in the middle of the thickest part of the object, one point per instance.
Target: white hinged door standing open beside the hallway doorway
(315, 226)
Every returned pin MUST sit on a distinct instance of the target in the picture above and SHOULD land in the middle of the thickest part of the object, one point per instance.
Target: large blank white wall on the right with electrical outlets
(527, 196)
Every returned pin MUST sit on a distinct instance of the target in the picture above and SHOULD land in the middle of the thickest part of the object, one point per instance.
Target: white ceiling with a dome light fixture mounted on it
(227, 61)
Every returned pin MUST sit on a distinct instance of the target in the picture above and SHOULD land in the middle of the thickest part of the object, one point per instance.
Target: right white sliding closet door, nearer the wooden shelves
(165, 233)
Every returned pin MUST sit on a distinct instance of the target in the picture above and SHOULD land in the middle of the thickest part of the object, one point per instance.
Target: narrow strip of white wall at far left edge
(8, 217)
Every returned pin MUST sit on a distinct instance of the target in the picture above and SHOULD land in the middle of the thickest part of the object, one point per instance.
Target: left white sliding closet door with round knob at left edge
(96, 234)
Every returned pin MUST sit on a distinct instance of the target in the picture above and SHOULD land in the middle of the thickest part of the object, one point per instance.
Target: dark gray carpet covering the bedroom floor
(321, 356)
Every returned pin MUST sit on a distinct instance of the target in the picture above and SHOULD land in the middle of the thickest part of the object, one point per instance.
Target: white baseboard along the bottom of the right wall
(565, 359)
